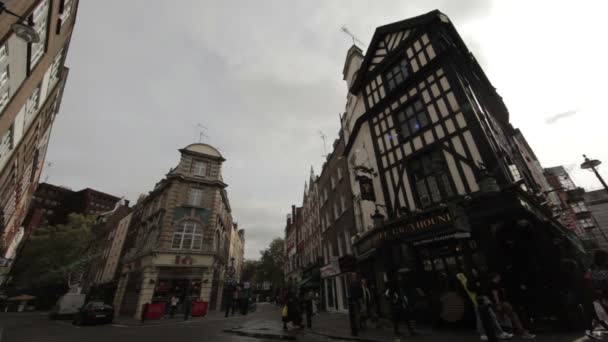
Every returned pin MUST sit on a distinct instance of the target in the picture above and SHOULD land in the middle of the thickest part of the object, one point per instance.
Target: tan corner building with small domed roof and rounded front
(189, 194)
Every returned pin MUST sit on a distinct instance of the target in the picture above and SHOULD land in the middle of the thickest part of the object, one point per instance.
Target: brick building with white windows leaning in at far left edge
(32, 79)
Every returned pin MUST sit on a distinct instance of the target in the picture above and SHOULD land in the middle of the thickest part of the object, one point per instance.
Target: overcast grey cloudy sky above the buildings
(266, 76)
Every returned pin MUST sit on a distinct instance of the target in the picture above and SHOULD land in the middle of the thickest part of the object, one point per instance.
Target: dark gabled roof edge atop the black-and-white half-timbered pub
(379, 46)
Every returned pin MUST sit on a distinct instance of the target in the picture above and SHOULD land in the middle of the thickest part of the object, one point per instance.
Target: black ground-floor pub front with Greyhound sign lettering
(422, 253)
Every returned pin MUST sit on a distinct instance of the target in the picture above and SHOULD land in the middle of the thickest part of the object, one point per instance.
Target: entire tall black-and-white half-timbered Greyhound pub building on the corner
(428, 130)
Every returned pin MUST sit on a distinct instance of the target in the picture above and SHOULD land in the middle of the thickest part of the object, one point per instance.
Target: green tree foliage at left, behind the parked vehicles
(52, 253)
